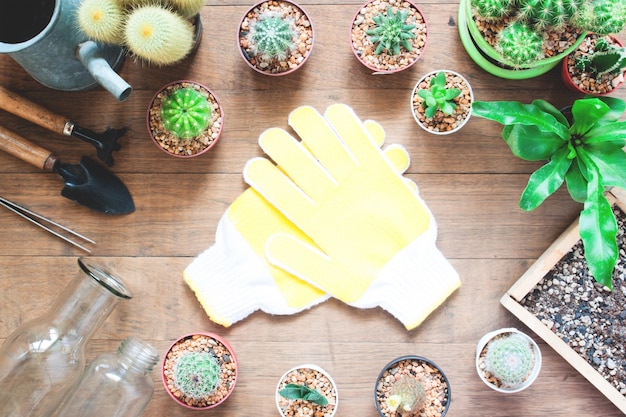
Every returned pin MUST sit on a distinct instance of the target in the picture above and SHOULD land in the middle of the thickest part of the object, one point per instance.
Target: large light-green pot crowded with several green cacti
(526, 38)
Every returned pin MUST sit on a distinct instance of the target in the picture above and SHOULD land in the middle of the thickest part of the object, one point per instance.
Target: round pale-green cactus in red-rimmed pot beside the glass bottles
(197, 374)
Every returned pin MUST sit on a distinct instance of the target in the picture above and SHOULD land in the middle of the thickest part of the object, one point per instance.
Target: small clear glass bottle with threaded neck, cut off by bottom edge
(115, 384)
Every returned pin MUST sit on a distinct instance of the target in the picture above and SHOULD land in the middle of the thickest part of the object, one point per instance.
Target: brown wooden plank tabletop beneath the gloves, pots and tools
(470, 181)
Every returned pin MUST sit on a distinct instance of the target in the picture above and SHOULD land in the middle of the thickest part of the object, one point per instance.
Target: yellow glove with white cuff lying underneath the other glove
(236, 263)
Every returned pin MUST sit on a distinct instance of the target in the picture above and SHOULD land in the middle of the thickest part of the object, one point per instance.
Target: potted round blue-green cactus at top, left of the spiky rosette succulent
(275, 38)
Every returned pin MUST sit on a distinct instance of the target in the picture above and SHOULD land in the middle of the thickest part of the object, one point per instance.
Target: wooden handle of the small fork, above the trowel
(26, 109)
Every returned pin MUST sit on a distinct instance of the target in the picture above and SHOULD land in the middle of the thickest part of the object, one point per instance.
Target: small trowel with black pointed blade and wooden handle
(87, 183)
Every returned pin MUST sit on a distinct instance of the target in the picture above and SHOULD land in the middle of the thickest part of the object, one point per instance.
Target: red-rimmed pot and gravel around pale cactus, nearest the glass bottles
(226, 359)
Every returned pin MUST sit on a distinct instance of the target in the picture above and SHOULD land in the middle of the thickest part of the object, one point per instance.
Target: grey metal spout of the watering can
(89, 54)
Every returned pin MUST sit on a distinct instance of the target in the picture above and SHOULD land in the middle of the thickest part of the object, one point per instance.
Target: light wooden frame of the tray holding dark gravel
(511, 301)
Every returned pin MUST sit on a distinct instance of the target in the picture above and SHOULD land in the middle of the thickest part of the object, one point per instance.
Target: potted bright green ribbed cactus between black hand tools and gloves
(185, 119)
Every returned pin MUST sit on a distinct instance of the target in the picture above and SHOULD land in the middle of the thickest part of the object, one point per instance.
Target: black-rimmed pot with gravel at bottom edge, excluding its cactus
(438, 399)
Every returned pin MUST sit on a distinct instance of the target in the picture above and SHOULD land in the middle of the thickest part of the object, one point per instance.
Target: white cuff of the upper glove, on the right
(414, 283)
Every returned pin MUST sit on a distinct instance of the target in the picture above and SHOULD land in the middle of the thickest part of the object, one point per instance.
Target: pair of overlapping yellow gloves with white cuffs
(331, 216)
